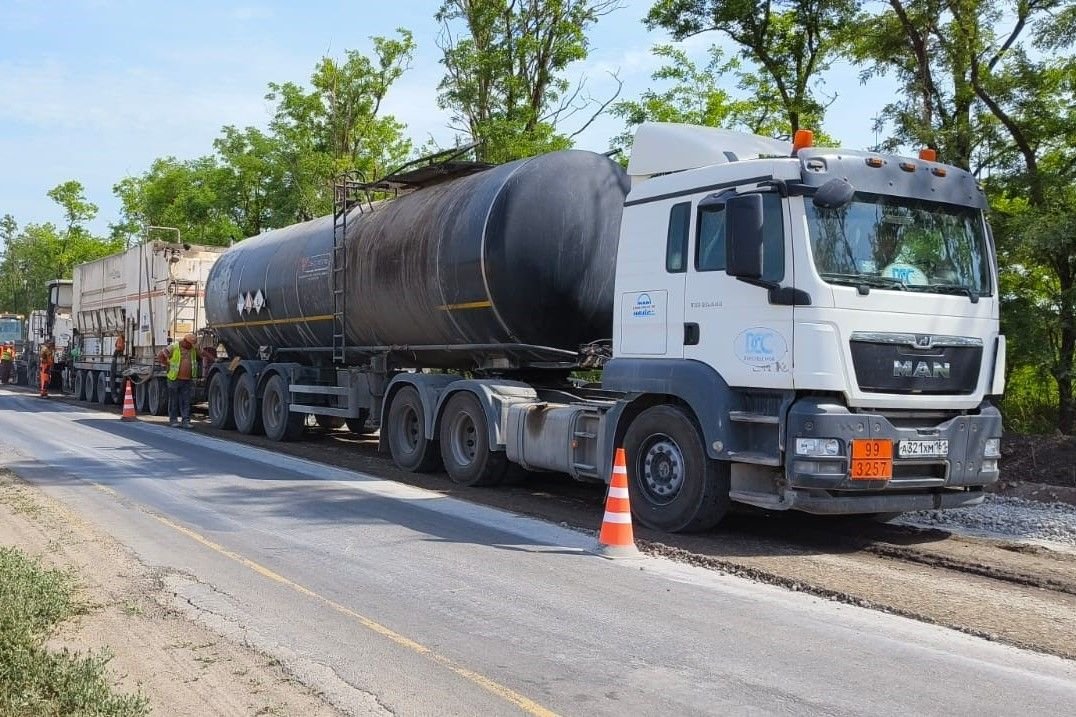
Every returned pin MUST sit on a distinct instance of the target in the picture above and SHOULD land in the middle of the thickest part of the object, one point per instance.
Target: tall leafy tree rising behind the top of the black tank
(505, 63)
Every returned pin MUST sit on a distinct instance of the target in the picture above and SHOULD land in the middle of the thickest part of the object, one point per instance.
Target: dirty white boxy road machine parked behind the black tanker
(128, 307)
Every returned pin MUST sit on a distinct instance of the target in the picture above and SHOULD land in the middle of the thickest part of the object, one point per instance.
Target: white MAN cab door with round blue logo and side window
(747, 340)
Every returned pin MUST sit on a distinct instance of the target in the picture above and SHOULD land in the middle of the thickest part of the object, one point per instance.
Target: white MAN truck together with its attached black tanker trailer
(778, 326)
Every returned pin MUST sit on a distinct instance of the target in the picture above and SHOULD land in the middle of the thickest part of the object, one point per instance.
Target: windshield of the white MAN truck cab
(908, 245)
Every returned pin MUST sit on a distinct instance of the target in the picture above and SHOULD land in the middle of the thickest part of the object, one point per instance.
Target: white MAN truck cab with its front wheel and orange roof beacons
(826, 320)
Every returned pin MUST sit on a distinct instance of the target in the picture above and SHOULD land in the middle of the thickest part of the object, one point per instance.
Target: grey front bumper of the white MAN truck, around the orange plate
(824, 485)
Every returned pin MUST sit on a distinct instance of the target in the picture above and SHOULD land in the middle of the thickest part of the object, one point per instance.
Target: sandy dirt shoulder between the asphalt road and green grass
(133, 613)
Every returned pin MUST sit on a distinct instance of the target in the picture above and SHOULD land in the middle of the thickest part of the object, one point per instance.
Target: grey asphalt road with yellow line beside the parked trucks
(394, 600)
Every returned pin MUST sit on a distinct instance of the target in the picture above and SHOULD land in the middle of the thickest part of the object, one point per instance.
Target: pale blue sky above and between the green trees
(96, 90)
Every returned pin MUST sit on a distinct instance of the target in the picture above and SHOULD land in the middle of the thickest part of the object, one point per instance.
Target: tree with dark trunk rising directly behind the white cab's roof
(795, 43)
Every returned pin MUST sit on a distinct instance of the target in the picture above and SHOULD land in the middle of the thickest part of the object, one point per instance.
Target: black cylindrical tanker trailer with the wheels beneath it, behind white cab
(476, 289)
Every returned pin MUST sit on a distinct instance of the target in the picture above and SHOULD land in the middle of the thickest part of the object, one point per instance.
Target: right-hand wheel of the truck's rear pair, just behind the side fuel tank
(465, 444)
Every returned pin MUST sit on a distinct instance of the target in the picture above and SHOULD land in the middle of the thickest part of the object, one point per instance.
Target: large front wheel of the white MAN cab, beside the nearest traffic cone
(674, 486)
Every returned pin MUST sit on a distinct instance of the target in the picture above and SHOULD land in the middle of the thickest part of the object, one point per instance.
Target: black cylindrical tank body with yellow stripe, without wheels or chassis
(523, 254)
